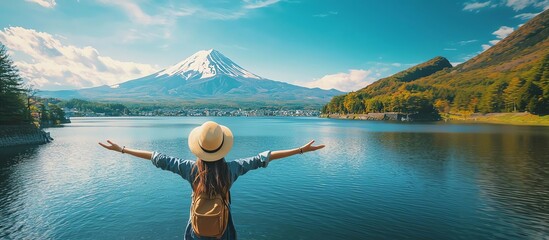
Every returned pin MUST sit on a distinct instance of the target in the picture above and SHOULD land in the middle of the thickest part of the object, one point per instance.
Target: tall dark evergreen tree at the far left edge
(12, 109)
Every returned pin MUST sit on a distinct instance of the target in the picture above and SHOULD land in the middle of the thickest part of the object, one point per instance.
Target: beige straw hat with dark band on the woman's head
(211, 141)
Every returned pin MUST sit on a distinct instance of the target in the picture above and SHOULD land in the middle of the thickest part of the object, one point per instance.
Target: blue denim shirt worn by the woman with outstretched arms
(236, 168)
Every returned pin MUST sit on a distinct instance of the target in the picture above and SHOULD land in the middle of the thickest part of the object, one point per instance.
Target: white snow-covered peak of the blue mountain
(206, 64)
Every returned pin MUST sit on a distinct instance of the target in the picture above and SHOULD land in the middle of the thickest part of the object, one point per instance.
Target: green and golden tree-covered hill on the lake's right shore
(511, 76)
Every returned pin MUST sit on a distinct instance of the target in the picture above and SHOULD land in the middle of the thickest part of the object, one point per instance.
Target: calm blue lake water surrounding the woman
(374, 180)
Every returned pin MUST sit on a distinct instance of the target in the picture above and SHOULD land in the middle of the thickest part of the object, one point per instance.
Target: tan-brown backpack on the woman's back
(209, 215)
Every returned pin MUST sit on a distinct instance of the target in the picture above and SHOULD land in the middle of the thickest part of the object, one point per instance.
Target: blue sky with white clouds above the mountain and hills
(67, 44)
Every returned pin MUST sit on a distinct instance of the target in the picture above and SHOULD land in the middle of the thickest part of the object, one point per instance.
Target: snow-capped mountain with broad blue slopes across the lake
(204, 76)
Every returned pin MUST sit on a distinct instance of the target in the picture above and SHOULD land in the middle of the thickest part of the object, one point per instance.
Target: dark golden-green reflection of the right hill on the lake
(510, 171)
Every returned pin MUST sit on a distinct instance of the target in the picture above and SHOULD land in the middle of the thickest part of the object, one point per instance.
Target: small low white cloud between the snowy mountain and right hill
(346, 82)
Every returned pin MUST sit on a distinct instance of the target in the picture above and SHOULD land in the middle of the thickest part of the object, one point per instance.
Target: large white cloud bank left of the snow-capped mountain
(50, 64)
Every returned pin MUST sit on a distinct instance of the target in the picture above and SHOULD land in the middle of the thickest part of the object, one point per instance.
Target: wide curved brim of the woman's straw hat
(211, 157)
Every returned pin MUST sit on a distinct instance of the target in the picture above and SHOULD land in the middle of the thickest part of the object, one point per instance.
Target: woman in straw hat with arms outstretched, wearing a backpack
(211, 176)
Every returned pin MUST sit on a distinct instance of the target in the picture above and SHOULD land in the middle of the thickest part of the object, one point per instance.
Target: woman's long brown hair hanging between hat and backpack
(211, 178)
